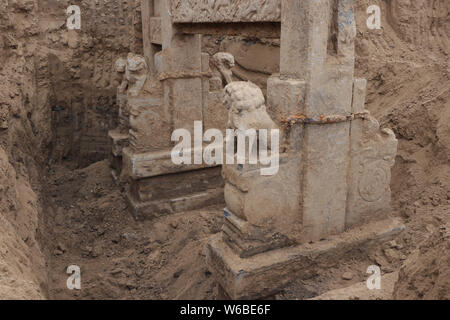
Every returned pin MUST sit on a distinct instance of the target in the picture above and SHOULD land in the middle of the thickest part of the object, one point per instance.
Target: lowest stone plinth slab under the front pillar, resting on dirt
(266, 274)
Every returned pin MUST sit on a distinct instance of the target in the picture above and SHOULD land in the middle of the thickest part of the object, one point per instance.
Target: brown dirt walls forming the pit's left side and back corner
(57, 102)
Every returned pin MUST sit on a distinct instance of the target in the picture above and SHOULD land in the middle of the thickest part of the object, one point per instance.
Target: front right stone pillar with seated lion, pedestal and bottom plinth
(333, 175)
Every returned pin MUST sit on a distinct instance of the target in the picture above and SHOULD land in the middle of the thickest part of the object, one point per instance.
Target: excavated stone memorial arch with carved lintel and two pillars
(331, 195)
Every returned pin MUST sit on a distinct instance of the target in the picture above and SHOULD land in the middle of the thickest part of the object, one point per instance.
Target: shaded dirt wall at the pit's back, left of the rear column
(77, 70)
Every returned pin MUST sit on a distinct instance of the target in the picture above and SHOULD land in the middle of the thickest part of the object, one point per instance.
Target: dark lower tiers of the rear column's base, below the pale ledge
(166, 194)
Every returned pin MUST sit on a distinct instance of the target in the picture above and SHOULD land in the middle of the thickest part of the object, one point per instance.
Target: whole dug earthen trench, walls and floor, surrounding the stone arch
(60, 208)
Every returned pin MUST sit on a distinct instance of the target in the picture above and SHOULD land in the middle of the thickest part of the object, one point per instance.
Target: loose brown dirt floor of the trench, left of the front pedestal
(89, 226)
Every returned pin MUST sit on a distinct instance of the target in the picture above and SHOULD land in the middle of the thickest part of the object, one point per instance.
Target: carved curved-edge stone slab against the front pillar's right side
(373, 154)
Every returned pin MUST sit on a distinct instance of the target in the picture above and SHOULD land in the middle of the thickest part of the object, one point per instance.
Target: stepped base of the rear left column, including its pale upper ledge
(159, 187)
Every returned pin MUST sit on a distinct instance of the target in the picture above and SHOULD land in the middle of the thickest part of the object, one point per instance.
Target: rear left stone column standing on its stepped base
(173, 98)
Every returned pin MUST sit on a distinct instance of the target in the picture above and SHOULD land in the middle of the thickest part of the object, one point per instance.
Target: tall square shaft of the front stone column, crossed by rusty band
(317, 47)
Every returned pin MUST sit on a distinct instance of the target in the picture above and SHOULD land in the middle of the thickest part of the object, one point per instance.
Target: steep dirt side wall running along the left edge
(23, 134)
